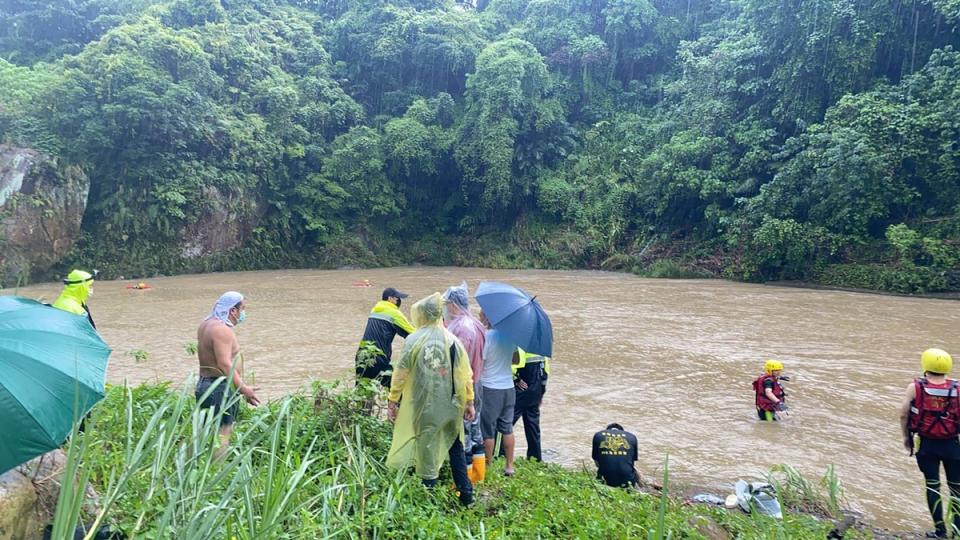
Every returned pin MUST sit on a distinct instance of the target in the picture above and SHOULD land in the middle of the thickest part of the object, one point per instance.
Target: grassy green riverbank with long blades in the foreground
(312, 467)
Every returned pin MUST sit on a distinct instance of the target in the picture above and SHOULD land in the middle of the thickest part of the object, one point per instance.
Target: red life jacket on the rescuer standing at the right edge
(935, 411)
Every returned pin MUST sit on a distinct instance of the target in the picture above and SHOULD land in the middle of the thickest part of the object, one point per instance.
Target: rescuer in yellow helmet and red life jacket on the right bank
(931, 411)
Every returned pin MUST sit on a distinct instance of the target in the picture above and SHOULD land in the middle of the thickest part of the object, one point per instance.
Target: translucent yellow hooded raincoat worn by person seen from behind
(432, 395)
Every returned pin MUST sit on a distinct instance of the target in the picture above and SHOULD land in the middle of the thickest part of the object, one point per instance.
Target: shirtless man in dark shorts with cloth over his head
(217, 348)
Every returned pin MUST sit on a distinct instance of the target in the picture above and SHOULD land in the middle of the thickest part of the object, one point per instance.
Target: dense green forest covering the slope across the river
(753, 139)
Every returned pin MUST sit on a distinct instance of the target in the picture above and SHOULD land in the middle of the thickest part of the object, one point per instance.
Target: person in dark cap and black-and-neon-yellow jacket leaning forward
(383, 324)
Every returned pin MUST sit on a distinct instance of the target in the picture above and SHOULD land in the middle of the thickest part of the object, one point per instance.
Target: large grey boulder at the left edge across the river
(41, 206)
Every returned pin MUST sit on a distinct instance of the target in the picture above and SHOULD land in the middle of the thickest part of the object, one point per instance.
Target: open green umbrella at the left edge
(52, 370)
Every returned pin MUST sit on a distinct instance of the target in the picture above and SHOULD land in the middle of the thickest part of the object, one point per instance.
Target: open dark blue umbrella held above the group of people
(518, 315)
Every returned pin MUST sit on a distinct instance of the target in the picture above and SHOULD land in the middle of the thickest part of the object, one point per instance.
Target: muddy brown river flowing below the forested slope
(671, 360)
